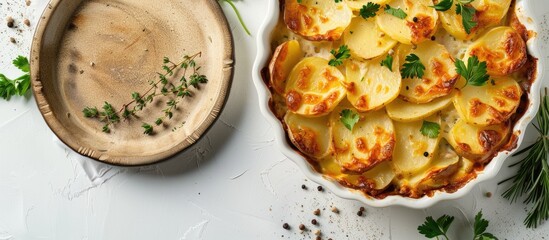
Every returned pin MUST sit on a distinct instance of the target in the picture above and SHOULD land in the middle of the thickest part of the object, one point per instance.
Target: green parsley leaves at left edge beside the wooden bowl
(18, 86)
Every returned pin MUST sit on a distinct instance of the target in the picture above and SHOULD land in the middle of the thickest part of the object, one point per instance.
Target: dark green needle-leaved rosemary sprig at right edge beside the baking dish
(532, 178)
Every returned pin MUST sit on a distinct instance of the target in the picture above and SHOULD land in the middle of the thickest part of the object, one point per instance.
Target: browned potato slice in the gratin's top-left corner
(317, 20)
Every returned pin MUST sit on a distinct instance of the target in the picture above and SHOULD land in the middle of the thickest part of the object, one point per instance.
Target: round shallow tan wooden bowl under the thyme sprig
(86, 52)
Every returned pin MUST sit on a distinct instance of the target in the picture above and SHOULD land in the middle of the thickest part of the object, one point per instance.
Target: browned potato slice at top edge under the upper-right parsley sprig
(488, 13)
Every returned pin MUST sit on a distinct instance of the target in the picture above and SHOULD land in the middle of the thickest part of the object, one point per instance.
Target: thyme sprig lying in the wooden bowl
(163, 86)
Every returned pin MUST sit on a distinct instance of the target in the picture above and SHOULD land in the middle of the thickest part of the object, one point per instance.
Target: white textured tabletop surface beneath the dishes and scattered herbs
(234, 184)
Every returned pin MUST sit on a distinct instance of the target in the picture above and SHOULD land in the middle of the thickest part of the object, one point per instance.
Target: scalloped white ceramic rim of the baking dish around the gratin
(523, 9)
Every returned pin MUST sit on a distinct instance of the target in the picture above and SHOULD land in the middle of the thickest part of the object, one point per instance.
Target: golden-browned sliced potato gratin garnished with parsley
(401, 97)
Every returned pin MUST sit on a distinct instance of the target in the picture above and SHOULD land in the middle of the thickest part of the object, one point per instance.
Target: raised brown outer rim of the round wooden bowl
(135, 160)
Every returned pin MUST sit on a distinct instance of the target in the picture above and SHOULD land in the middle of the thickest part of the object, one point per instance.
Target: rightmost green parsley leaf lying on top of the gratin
(475, 72)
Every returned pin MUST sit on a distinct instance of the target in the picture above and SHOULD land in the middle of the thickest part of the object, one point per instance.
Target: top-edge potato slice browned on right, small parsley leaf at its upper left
(407, 30)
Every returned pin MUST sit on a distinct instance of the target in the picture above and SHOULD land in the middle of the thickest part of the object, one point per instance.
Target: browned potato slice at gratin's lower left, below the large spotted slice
(310, 135)
